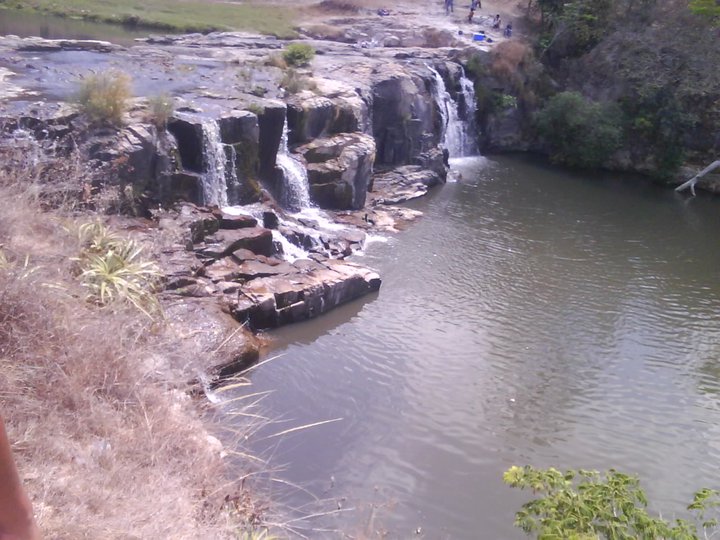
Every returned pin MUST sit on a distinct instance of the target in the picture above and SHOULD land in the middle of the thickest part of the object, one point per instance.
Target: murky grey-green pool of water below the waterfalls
(532, 316)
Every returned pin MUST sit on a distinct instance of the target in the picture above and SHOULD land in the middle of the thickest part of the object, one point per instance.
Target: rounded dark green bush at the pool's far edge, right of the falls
(579, 132)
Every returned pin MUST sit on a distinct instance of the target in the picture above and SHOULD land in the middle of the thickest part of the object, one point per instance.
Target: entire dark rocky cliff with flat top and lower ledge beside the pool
(369, 116)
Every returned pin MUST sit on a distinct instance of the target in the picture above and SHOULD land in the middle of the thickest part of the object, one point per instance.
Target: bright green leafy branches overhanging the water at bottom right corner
(585, 505)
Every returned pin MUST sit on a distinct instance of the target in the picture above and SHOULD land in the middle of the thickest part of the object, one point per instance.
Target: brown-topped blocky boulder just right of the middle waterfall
(339, 170)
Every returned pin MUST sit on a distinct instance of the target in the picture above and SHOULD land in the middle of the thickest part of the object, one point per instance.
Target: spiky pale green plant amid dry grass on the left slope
(111, 269)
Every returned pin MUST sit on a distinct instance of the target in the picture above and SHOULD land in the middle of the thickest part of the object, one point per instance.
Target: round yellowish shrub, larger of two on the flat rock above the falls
(103, 96)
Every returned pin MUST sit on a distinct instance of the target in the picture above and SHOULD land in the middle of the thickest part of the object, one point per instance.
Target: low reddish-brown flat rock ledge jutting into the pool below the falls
(240, 265)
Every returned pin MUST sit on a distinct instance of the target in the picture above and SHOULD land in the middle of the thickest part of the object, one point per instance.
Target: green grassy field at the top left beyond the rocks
(172, 15)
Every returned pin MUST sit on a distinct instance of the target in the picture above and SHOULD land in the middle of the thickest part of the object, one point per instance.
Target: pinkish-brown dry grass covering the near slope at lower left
(105, 447)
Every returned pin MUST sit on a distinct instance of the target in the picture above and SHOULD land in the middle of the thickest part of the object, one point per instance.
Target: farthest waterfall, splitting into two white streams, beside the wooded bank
(457, 135)
